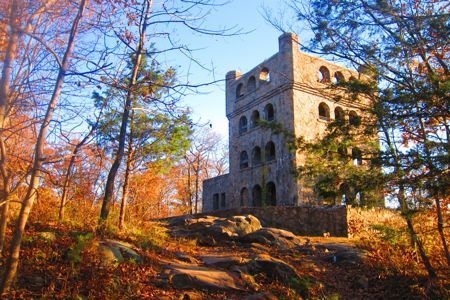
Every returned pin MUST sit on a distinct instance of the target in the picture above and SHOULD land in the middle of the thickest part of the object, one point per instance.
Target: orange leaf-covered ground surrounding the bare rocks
(62, 261)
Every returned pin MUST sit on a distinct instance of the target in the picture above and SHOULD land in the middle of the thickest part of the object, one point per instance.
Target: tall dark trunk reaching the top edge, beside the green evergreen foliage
(109, 189)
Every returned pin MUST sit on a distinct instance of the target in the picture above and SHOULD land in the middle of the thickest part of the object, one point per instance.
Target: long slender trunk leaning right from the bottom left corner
(27, 203)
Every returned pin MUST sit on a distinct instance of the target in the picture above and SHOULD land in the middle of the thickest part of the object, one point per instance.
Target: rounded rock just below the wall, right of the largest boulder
(273, 237)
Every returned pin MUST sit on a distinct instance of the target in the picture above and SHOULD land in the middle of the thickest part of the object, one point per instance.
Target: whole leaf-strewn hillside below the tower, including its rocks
(206, 258)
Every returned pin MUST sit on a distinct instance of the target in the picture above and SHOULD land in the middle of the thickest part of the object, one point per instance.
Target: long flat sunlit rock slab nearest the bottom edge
(194, 277)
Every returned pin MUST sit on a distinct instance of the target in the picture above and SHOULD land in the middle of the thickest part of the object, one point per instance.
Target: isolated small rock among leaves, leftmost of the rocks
(112, 252)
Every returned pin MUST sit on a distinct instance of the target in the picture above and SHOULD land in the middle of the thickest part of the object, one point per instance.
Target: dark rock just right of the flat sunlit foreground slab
(272, 267)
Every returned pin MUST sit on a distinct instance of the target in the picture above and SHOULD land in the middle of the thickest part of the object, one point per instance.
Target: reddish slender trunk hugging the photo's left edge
(13, 38)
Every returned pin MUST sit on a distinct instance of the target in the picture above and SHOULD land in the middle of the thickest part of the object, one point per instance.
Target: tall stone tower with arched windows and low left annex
(287, 89)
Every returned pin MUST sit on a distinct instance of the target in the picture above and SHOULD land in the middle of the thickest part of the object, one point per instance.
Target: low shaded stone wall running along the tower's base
(309, 220)
